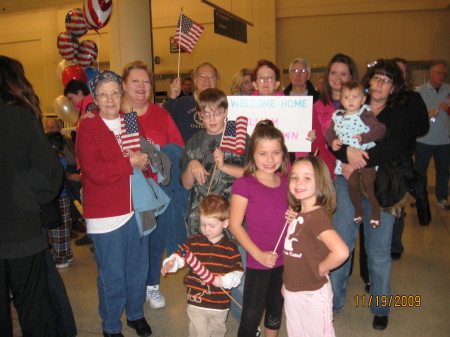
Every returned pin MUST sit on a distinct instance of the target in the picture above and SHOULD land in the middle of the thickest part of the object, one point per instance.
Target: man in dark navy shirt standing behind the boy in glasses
(184, 110)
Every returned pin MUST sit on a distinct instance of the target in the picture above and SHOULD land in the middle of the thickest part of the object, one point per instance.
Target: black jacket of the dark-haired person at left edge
(30, 176)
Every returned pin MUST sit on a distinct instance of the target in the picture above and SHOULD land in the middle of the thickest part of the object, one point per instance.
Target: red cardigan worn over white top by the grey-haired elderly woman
(105, 171)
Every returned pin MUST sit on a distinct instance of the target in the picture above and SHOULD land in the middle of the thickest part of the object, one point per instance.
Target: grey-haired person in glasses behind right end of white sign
(299, 74)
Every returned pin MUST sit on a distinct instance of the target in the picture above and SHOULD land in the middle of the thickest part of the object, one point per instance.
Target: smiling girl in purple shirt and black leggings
(260, 196)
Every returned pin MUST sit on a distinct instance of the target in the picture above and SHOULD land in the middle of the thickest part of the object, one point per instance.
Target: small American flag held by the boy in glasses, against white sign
(234, 136)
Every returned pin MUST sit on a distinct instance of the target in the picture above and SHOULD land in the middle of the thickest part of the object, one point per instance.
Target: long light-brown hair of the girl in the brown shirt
(325, 193)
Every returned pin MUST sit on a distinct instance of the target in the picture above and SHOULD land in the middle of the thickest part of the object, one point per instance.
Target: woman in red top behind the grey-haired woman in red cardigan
(158, 127)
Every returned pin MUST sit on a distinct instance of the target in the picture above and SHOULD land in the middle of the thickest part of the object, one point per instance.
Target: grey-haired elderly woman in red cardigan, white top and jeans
(120, 253)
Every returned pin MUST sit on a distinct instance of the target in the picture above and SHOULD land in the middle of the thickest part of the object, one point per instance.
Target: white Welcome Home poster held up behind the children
(292, 115)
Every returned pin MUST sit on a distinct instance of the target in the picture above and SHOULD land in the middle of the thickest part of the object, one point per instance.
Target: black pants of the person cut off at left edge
(27, 279)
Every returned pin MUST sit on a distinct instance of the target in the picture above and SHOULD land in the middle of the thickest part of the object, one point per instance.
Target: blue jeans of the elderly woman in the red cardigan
(122, 261)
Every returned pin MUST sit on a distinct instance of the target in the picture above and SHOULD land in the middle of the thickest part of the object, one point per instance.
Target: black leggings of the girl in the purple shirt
(262, 290)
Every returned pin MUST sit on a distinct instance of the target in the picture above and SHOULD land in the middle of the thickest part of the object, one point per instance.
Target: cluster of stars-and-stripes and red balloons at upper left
(78, 56)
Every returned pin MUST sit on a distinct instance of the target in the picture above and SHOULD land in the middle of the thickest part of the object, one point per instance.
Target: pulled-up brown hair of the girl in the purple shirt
(265, 130)
